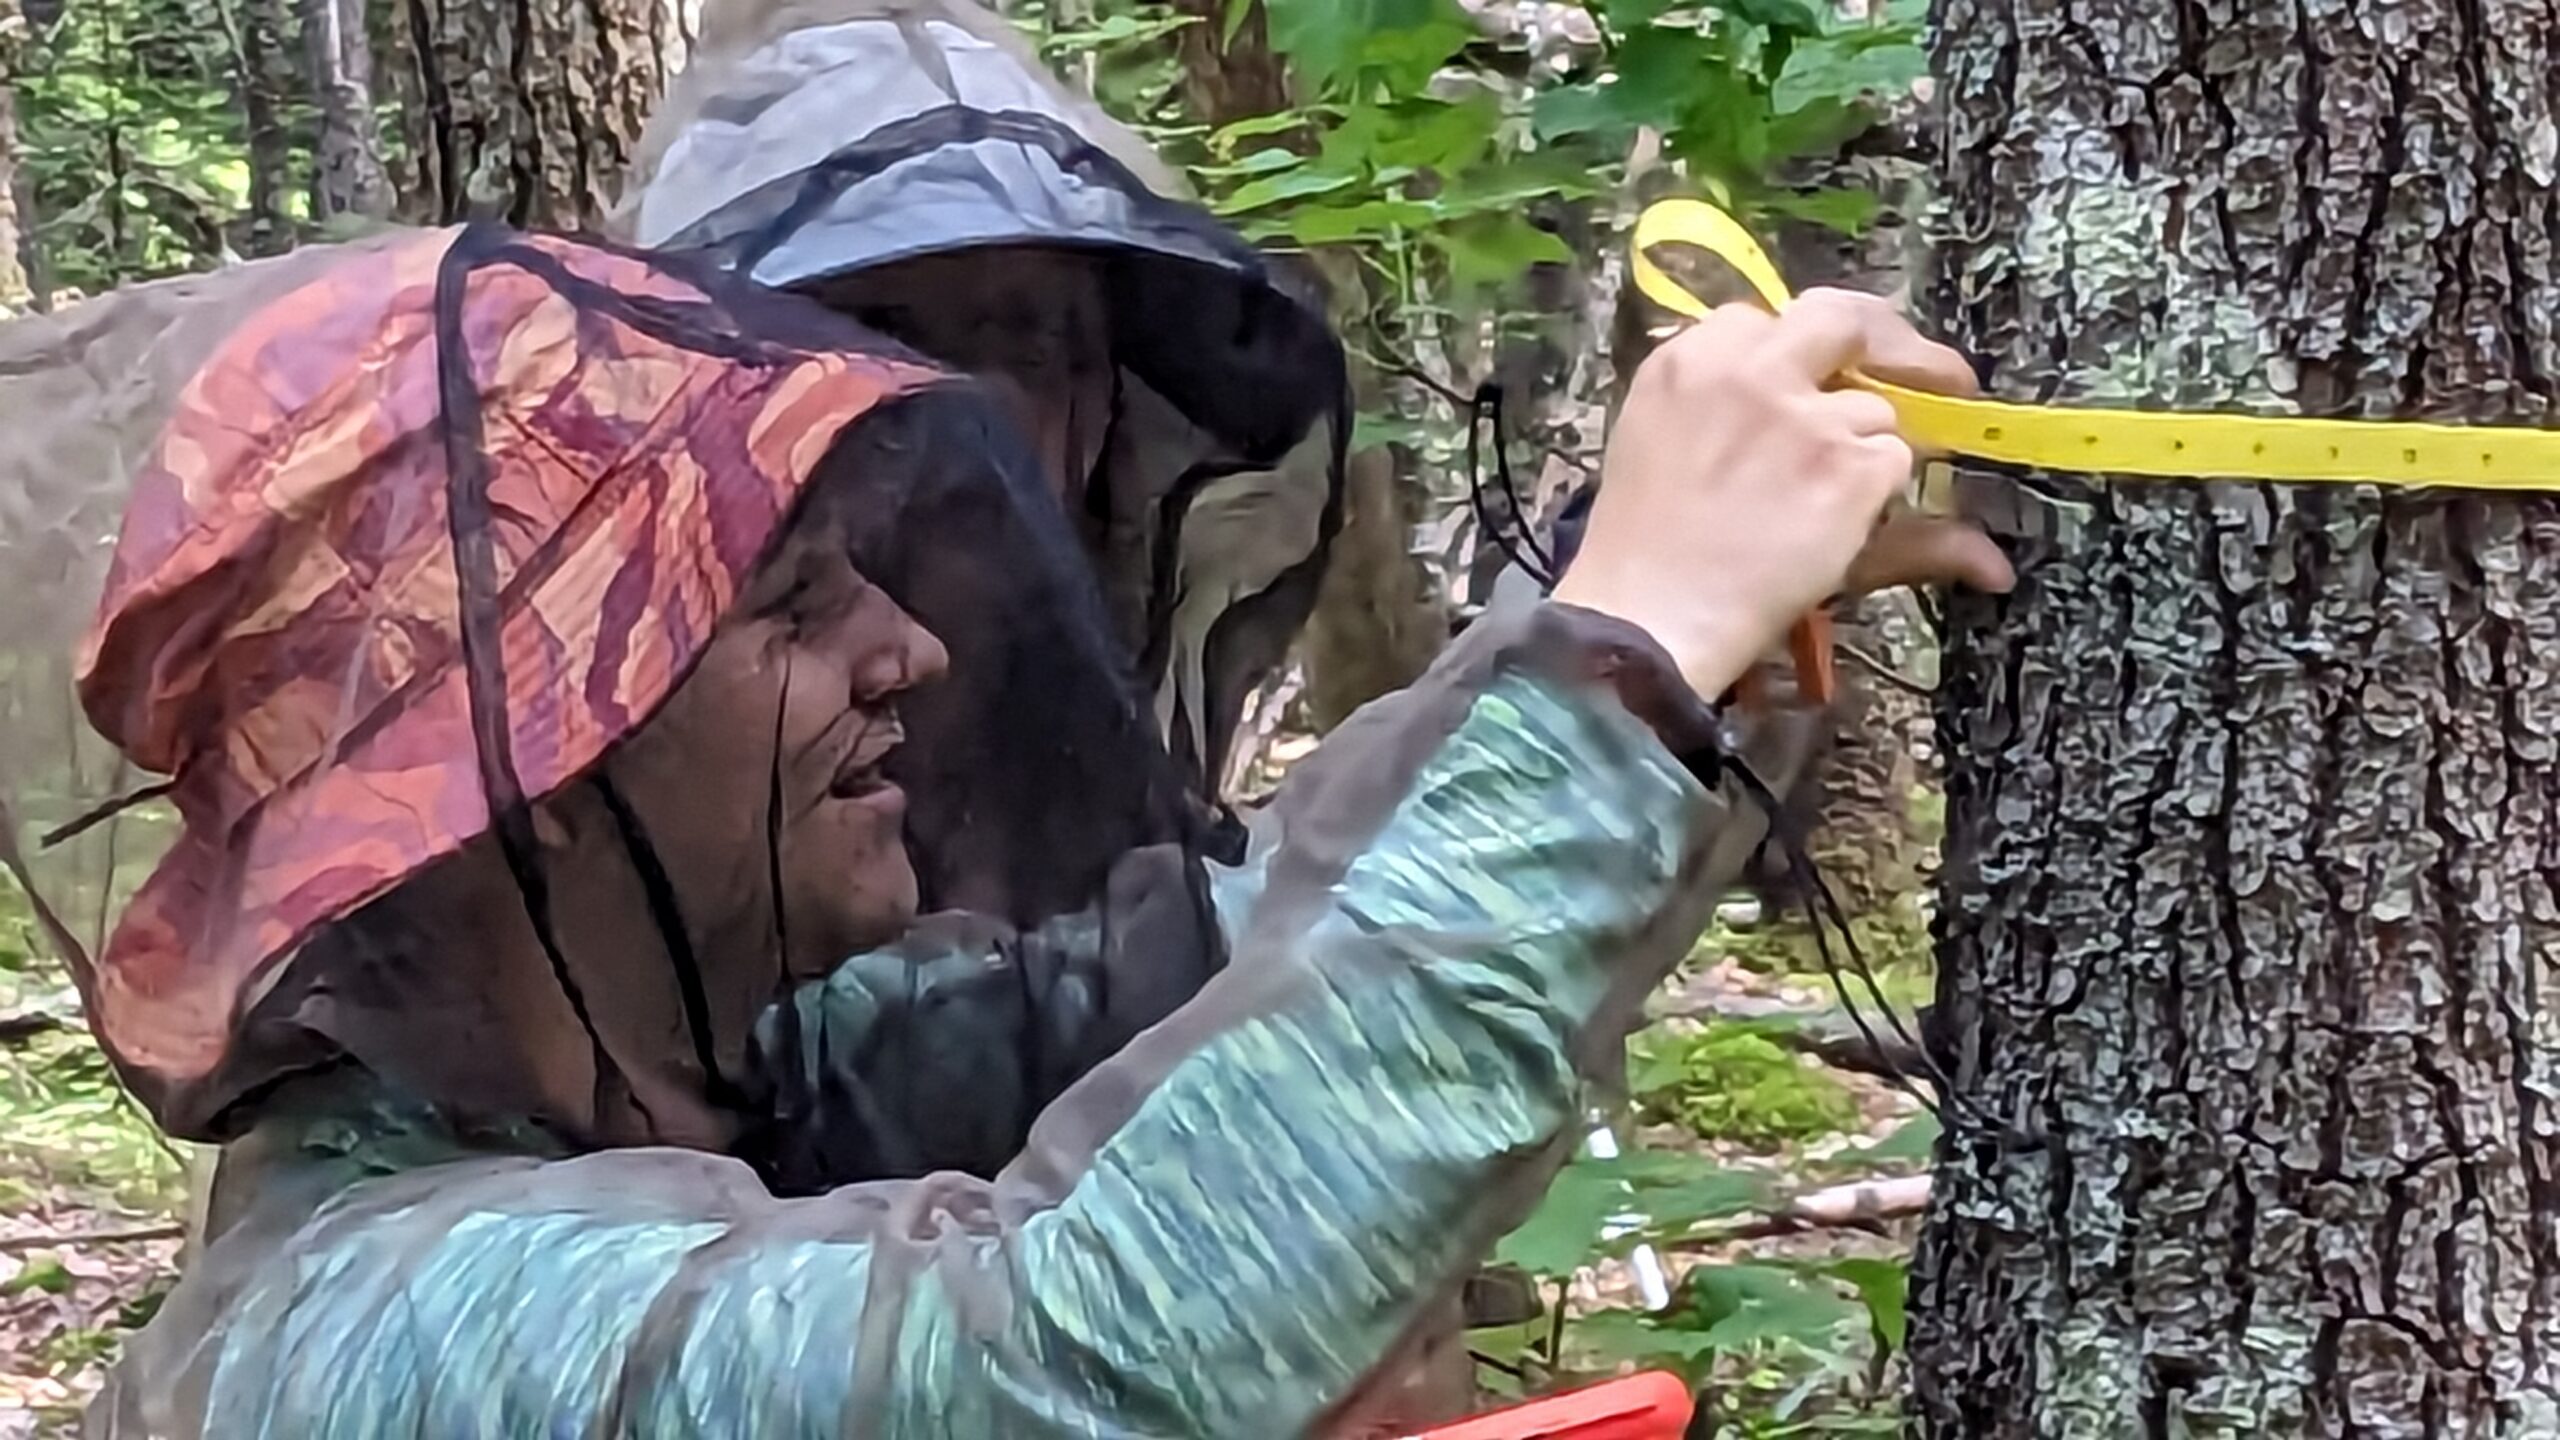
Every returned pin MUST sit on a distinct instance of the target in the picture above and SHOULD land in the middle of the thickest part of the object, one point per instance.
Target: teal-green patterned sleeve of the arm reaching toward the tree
(1215, 1234)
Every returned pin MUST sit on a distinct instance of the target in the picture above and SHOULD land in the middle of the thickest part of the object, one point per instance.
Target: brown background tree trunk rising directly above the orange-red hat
(526, 111)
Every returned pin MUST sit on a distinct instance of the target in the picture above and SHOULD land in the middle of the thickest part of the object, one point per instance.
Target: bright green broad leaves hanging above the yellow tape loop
(1427, 140)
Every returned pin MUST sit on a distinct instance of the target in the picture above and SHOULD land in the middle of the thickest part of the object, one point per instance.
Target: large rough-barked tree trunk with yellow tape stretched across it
(2249, 919)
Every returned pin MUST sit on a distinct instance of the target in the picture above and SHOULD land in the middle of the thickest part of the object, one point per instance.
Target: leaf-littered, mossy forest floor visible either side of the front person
(91, 1206)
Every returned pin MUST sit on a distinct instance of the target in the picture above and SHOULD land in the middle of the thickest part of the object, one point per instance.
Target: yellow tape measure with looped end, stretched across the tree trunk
(2134, 442)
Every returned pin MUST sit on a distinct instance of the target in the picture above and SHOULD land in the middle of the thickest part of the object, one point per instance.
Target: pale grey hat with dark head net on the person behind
(844, 147)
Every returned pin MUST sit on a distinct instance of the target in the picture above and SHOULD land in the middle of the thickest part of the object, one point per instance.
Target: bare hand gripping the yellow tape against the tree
(1745, 486)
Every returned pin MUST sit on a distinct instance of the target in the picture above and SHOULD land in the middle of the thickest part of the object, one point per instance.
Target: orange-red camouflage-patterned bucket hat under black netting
(288, 616)
